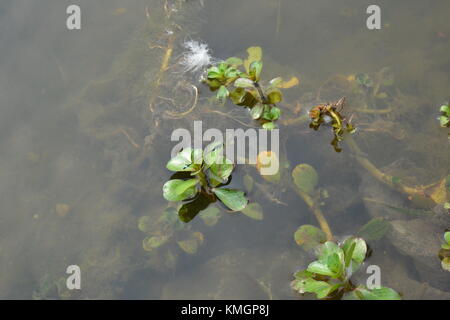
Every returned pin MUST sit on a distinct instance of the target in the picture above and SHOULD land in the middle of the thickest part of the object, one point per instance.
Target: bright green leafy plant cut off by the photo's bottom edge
(329, 277)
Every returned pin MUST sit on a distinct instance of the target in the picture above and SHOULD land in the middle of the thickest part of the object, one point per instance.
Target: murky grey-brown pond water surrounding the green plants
(86, 121)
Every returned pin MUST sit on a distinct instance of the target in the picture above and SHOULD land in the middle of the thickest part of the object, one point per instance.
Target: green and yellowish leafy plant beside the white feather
(240, 80)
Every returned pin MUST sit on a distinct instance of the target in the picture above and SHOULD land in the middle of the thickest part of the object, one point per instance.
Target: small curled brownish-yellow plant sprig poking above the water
(328, 114)
